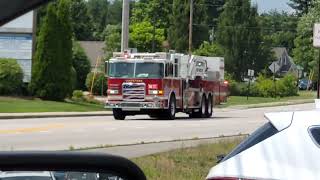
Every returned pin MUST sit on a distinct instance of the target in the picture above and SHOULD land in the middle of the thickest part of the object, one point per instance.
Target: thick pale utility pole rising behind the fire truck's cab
(125, 26)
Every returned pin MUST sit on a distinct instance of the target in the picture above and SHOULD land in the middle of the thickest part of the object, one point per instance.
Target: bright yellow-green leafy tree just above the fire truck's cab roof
(141, 37)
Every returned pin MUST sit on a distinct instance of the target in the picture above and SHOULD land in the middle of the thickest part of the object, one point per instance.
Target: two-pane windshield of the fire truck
(136, 70)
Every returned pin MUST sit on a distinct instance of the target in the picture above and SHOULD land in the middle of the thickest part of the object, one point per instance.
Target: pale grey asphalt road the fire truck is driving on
(63, 133)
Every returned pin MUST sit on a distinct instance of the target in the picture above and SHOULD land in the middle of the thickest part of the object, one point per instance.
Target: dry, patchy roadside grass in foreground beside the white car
(182, 164)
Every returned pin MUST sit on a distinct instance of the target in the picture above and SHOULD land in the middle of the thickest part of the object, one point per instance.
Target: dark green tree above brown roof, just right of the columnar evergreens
(81, 21)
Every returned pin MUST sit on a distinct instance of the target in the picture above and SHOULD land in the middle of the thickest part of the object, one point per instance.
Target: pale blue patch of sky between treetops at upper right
(267, 5)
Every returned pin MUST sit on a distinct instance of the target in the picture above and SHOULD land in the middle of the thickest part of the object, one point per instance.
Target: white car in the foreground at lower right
(287, 147)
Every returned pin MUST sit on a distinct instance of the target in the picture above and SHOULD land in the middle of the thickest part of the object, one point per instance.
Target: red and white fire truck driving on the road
(162, 84)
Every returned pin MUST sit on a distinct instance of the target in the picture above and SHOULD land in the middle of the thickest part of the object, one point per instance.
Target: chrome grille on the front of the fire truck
(133, 91)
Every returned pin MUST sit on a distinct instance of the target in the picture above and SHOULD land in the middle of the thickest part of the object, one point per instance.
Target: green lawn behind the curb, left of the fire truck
(18, 105)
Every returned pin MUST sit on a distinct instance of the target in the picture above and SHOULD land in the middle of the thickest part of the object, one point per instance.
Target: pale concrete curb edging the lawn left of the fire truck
(53, 114)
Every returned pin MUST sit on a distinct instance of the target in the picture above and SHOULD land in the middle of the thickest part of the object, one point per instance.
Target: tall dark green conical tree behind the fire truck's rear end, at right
(239, 34)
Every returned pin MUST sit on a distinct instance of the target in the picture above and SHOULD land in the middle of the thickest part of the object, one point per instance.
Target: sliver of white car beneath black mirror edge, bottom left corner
(26, 175)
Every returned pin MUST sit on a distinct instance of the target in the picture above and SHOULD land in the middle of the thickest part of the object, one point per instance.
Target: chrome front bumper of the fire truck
(134, 105)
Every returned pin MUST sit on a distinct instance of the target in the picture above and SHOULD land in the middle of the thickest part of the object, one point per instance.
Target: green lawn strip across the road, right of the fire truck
(242, 100)
